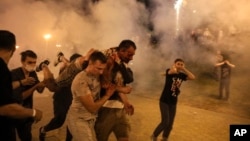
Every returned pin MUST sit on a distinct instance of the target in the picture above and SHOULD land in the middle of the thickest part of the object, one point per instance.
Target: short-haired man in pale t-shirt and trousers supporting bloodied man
(86, 102)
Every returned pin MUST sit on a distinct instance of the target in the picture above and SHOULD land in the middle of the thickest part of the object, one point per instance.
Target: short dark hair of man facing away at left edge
(7, 40)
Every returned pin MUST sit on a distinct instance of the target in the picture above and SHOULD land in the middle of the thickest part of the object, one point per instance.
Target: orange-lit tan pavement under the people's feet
(191, 123)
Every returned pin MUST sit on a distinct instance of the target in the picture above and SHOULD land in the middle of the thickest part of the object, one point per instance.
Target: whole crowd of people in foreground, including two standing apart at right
(90, 93)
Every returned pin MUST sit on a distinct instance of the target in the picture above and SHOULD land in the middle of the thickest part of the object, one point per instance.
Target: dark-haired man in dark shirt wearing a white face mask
(24, 82)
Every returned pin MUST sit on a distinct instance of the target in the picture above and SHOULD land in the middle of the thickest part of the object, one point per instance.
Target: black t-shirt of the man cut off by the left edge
(7, 131)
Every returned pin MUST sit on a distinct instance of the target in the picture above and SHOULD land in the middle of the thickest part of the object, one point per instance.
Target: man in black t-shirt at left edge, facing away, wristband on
(9, 109)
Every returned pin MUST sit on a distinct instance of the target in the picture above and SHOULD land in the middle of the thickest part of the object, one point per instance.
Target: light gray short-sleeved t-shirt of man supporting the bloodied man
(84, 84)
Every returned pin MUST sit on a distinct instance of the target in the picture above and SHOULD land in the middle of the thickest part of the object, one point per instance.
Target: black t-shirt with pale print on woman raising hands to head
(172, 87)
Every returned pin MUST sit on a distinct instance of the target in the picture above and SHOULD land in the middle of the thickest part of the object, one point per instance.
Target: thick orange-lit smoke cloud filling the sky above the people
(76, 26)
